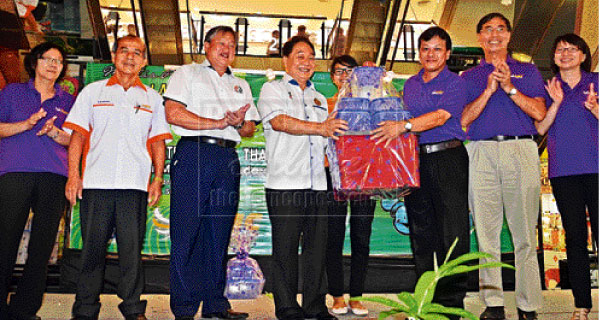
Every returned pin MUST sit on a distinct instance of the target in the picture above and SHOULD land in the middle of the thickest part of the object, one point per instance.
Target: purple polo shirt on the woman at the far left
(26, 152)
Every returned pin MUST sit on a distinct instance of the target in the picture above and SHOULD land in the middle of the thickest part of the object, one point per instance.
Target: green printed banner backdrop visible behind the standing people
(390, 231)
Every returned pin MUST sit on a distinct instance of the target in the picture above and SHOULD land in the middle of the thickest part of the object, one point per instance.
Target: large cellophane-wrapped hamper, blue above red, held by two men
(358, 166)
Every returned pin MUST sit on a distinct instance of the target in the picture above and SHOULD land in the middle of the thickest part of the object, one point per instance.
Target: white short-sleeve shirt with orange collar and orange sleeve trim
(119, 127)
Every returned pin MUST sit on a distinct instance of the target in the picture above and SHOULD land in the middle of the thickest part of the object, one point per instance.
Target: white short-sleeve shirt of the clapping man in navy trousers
(208, 95)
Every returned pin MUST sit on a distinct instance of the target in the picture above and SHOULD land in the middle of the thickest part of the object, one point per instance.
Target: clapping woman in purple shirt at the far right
(572, 126)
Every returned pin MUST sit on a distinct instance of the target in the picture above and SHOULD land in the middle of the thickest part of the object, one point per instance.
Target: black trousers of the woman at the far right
(573, 195)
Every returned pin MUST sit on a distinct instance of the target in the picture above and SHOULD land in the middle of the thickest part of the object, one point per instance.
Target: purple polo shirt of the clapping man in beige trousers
(501, 116)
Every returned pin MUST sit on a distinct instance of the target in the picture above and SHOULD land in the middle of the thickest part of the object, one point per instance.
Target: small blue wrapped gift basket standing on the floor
(245, 279)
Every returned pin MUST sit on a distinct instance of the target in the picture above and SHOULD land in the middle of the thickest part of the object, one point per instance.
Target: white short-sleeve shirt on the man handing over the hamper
(293, 161)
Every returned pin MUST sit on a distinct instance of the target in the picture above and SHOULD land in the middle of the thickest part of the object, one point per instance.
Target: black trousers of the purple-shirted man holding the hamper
(438, 213)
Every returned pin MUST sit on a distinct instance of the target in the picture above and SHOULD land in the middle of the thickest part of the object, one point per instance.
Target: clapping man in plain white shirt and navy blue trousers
(211, 110)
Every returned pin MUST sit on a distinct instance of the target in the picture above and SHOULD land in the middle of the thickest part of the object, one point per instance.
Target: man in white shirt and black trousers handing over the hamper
(296, 125)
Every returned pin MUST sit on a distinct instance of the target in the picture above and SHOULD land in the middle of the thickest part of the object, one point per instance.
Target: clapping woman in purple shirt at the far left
(33, 173)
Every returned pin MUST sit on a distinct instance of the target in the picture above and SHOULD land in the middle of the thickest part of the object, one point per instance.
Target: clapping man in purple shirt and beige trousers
(505, 97)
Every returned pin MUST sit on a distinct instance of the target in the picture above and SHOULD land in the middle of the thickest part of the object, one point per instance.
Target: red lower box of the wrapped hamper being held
(368, 169)
